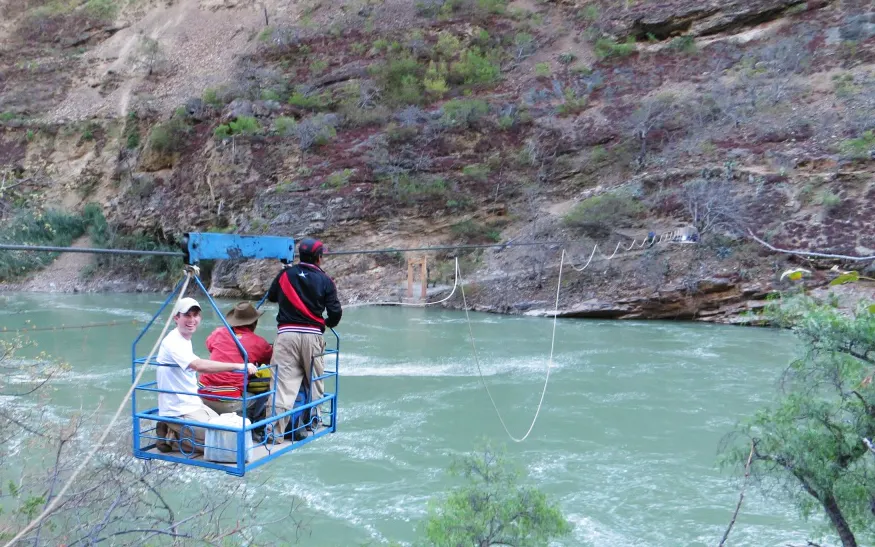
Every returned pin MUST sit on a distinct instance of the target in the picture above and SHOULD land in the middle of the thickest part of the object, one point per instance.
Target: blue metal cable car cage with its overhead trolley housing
(230, 446)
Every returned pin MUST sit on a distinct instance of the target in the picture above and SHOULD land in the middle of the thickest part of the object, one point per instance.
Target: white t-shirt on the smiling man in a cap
(176, 350)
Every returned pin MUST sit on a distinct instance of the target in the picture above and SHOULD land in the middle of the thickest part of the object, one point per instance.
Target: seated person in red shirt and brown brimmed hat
(243, 318)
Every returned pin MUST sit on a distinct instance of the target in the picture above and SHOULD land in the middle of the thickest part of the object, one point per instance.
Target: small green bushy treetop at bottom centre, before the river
(492, 508)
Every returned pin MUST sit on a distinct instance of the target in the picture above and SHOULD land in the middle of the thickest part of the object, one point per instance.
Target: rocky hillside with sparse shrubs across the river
(391, 124)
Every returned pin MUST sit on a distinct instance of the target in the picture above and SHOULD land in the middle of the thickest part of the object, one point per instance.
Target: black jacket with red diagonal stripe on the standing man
(304, 292)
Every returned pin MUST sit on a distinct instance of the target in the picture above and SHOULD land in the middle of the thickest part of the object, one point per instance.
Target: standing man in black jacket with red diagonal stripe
(304, 292)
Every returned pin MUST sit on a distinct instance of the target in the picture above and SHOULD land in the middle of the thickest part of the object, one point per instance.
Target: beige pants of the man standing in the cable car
(293, 353)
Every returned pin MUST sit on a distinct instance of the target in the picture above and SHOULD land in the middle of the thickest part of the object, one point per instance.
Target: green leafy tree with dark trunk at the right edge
(815, 442)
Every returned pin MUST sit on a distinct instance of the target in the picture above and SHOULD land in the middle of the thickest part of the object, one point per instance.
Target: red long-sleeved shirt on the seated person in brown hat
(223, 348)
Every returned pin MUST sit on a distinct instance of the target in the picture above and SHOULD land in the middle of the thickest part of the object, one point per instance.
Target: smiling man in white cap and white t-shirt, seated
(179, 374)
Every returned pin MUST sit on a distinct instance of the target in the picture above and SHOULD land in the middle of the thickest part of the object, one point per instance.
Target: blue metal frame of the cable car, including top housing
(213, 246)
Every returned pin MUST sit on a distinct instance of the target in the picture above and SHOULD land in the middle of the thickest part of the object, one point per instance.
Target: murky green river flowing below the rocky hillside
(627, 441)
